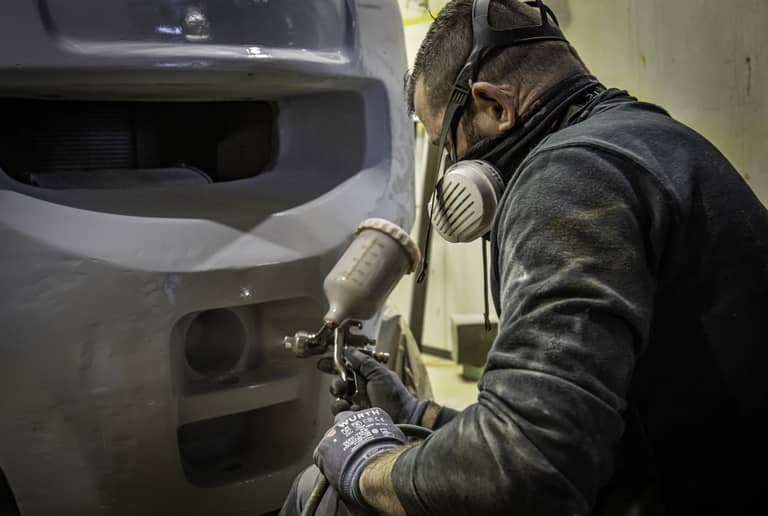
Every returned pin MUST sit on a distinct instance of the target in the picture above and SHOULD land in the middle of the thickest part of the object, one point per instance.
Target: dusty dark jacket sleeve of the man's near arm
(578, 240)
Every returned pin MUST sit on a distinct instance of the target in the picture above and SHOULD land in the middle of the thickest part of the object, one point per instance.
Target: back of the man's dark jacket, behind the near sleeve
(698, 393)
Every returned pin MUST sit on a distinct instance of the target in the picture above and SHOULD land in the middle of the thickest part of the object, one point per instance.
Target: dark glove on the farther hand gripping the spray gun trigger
(384, 389)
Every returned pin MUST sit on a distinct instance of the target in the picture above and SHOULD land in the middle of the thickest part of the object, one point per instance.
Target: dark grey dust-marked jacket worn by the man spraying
(630, 371)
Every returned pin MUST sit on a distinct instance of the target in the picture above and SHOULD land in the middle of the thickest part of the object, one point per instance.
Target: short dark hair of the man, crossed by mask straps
(448, 43)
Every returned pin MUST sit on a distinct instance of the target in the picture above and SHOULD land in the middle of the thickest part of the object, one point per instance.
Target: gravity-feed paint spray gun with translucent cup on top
(356, 288)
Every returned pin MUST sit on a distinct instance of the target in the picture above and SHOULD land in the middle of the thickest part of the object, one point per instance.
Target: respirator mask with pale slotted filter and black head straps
(465, 199)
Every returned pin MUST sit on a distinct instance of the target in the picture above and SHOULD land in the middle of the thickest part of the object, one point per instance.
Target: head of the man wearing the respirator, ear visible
(509, 82)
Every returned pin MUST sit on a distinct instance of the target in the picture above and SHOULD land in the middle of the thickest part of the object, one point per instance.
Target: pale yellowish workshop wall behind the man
(705, 61)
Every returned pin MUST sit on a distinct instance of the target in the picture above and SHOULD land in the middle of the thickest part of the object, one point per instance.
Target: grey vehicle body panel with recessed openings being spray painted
(104, 289)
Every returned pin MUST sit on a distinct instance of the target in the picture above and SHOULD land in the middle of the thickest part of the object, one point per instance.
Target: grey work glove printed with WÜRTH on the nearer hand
(351, 444)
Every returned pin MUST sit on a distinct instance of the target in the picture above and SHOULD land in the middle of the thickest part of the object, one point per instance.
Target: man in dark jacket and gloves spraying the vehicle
(630, 272)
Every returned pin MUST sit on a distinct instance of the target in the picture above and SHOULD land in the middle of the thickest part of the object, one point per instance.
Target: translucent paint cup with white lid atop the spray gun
(368, 271)
